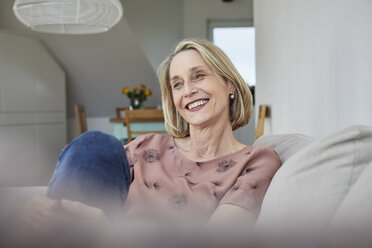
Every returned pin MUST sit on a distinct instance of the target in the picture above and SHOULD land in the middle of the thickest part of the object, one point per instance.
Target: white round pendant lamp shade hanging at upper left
(68, 16)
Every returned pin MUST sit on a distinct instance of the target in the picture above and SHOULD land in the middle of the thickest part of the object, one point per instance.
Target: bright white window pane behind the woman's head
(239, 45)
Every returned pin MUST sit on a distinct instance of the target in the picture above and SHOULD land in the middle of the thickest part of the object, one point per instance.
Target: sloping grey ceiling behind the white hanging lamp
(97, 66)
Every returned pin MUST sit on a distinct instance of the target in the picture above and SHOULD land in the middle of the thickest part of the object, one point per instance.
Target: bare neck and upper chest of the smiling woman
(209, 142)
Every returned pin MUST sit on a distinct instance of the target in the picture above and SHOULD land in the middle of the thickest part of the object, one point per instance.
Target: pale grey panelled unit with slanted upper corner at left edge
(32, 111)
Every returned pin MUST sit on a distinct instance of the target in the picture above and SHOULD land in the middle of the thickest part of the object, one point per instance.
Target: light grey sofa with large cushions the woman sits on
(322, 182)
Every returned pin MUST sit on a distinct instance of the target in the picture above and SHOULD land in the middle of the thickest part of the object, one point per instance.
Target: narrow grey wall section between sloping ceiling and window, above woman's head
(157, 26)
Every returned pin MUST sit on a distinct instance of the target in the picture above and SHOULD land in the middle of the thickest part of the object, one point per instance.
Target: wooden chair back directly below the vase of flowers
(142, 115)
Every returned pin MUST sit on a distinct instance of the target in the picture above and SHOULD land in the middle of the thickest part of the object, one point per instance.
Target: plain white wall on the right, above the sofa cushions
(314, 64)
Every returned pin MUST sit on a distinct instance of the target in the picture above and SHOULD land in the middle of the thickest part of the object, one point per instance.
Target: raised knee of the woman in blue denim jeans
(94, 170)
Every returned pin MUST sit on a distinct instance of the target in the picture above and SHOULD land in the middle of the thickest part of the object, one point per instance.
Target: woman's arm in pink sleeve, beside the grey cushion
(248, 191)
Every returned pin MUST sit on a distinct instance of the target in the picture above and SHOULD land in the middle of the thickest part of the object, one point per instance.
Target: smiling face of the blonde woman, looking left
(199, 94)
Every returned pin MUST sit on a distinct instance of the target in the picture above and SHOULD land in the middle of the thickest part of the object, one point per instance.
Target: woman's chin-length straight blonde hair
(216, 59)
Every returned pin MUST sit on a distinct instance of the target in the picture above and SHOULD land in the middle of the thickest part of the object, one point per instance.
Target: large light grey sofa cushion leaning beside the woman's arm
(310, 186)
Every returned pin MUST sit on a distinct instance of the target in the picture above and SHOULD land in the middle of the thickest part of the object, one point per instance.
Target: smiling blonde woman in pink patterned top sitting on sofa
(199, 170)
